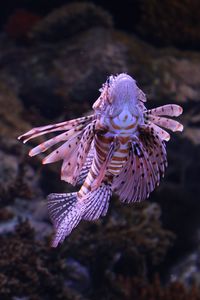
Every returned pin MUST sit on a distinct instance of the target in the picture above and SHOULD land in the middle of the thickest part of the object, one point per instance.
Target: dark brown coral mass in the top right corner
(171, 22)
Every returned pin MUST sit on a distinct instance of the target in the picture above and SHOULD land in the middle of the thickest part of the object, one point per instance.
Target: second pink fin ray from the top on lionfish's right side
(165, 122)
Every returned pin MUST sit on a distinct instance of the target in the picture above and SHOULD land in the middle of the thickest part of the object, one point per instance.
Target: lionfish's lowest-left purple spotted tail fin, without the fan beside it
(65, 212)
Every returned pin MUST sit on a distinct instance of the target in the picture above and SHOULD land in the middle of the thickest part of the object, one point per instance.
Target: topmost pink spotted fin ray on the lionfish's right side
(172, 110)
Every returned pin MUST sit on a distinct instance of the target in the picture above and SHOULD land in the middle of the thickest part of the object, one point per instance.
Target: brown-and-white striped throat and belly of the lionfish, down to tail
(121, 128)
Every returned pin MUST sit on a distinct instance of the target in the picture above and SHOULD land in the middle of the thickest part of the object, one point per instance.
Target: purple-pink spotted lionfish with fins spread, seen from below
(120, 148)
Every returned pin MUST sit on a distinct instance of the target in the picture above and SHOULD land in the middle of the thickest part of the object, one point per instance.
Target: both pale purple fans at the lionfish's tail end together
(66, 210)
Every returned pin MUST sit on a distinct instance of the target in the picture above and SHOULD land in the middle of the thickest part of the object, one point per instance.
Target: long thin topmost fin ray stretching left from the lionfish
(67, 125)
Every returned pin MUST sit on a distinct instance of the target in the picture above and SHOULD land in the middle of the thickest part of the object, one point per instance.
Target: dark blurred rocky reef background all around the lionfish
(54, 56)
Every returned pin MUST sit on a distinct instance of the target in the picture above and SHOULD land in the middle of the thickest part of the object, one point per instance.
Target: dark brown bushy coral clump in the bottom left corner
(30, 269)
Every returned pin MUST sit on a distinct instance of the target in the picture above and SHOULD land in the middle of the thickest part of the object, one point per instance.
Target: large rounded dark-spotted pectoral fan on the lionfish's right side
(142, 172)
